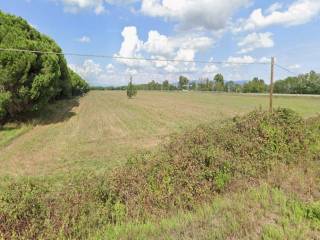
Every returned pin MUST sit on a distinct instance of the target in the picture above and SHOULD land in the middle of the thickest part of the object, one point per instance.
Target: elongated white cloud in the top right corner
(299, 12)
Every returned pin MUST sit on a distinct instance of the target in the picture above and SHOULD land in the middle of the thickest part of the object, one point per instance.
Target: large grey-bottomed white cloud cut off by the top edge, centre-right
(194, 14)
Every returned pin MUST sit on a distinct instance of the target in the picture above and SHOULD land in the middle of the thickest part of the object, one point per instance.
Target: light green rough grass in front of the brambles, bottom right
(258, 213)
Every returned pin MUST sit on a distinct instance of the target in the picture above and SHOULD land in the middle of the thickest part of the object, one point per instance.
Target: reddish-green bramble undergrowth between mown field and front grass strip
(188, 170)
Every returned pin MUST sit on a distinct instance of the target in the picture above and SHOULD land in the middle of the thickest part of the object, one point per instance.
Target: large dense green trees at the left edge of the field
(29, 81)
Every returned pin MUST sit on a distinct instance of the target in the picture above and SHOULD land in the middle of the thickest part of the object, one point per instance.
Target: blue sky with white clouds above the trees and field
(234, 37)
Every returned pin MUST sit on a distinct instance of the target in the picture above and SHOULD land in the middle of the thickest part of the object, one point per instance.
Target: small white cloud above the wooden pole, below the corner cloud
(256, 40)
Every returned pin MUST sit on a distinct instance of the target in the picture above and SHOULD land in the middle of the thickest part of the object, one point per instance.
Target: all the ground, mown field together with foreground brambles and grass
(78, 170)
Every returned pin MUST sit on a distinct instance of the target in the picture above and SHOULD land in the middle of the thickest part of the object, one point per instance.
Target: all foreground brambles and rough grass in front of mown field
(189, 169)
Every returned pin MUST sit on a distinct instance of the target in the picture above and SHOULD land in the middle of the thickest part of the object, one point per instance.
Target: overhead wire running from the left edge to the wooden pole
(130, 58)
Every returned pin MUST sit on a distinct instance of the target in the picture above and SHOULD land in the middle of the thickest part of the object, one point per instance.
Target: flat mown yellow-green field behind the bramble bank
(100, 130)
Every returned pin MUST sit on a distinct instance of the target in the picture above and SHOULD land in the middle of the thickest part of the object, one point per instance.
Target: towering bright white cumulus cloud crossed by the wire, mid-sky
(161, 47)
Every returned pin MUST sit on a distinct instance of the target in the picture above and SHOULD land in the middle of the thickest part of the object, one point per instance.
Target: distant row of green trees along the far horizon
(303, 84)
